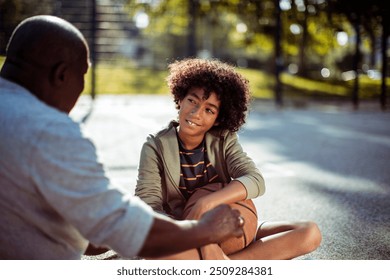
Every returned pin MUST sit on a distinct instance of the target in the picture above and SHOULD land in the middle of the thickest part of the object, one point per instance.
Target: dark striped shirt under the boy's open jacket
(196, 169)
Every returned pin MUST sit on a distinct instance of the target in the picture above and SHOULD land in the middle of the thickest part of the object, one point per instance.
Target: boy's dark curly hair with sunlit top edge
(231, 87)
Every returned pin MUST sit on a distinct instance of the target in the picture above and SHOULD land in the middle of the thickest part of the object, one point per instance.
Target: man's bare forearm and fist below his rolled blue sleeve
(168, 236)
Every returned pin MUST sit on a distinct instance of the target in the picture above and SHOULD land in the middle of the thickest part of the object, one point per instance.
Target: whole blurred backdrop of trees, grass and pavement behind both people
(318, 69)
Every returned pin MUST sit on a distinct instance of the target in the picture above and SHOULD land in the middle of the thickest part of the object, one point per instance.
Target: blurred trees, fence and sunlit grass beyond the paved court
(292, 51)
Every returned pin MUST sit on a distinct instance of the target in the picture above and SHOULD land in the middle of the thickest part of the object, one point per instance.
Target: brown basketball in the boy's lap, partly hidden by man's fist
(248, 212)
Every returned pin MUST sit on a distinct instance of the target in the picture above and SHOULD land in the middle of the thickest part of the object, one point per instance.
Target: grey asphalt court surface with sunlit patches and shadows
(324, 163)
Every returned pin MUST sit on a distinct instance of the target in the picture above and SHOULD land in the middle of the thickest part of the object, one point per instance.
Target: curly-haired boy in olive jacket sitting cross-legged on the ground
(202, 148)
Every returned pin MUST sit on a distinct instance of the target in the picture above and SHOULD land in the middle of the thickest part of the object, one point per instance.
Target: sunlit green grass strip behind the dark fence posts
(130, 80)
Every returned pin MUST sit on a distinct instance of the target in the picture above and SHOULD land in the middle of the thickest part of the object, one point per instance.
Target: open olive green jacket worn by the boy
(159, 168)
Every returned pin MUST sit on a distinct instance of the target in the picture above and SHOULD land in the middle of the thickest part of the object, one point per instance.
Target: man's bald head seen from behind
(49, 57)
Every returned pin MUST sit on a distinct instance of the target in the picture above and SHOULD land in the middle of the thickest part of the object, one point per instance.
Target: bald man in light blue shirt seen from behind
(54, 196)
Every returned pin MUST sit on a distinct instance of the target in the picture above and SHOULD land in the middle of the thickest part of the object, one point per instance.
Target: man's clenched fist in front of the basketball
(221, 223)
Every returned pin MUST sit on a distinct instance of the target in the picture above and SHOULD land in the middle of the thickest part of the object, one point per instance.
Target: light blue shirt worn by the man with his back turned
(54, 194)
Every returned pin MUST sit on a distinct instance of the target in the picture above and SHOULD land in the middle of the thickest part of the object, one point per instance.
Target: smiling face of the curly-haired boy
(198, 114)
